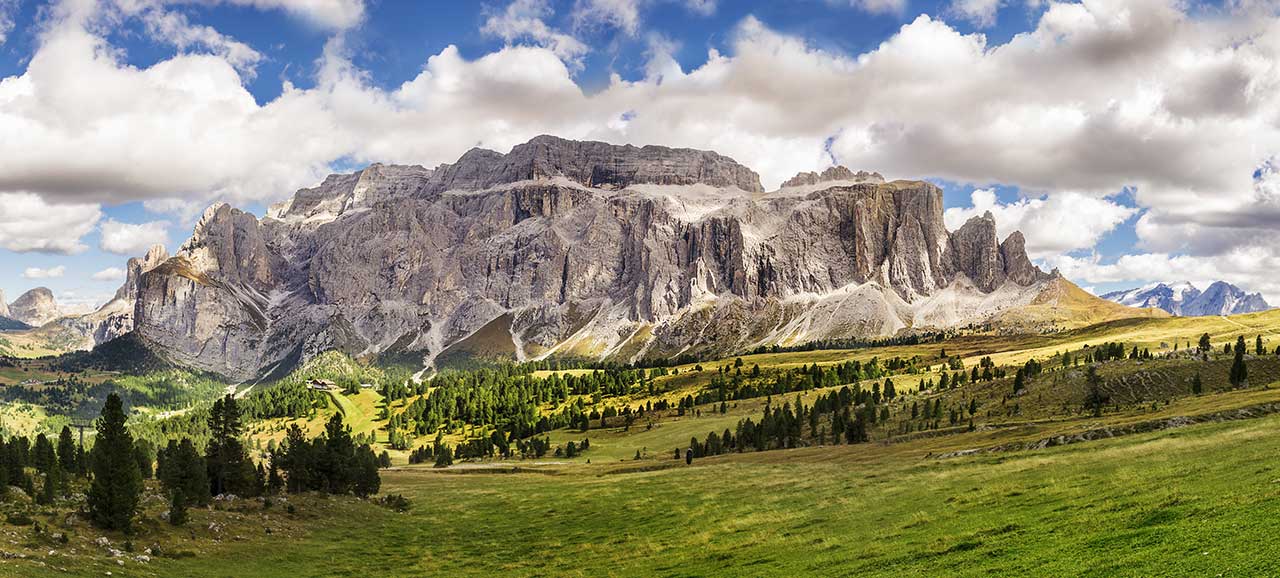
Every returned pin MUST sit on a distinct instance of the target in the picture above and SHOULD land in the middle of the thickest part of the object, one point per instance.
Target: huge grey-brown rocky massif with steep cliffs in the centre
(575, 250)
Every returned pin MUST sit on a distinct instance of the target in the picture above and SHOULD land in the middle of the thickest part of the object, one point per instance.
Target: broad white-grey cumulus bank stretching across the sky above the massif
(1098, 98)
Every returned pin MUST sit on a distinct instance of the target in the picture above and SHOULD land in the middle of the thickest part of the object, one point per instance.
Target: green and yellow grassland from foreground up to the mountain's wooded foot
(1144, 498)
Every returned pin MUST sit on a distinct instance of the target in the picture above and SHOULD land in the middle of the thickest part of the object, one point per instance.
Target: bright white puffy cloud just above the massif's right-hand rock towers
(1053, 226)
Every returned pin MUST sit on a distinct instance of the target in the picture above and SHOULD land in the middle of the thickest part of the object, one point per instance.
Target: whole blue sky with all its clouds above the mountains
(1131, 141)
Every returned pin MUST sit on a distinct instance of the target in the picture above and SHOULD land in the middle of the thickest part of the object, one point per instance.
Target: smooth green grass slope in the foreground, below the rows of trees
(1199, 501)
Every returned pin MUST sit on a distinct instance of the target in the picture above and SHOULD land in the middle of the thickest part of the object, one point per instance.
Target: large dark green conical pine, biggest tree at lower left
(117, 488)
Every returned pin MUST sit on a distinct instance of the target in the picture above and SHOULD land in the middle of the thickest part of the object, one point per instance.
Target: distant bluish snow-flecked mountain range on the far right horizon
(1186, 300)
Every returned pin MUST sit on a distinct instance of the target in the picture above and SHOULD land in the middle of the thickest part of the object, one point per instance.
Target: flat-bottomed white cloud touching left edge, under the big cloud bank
(30, 224)
